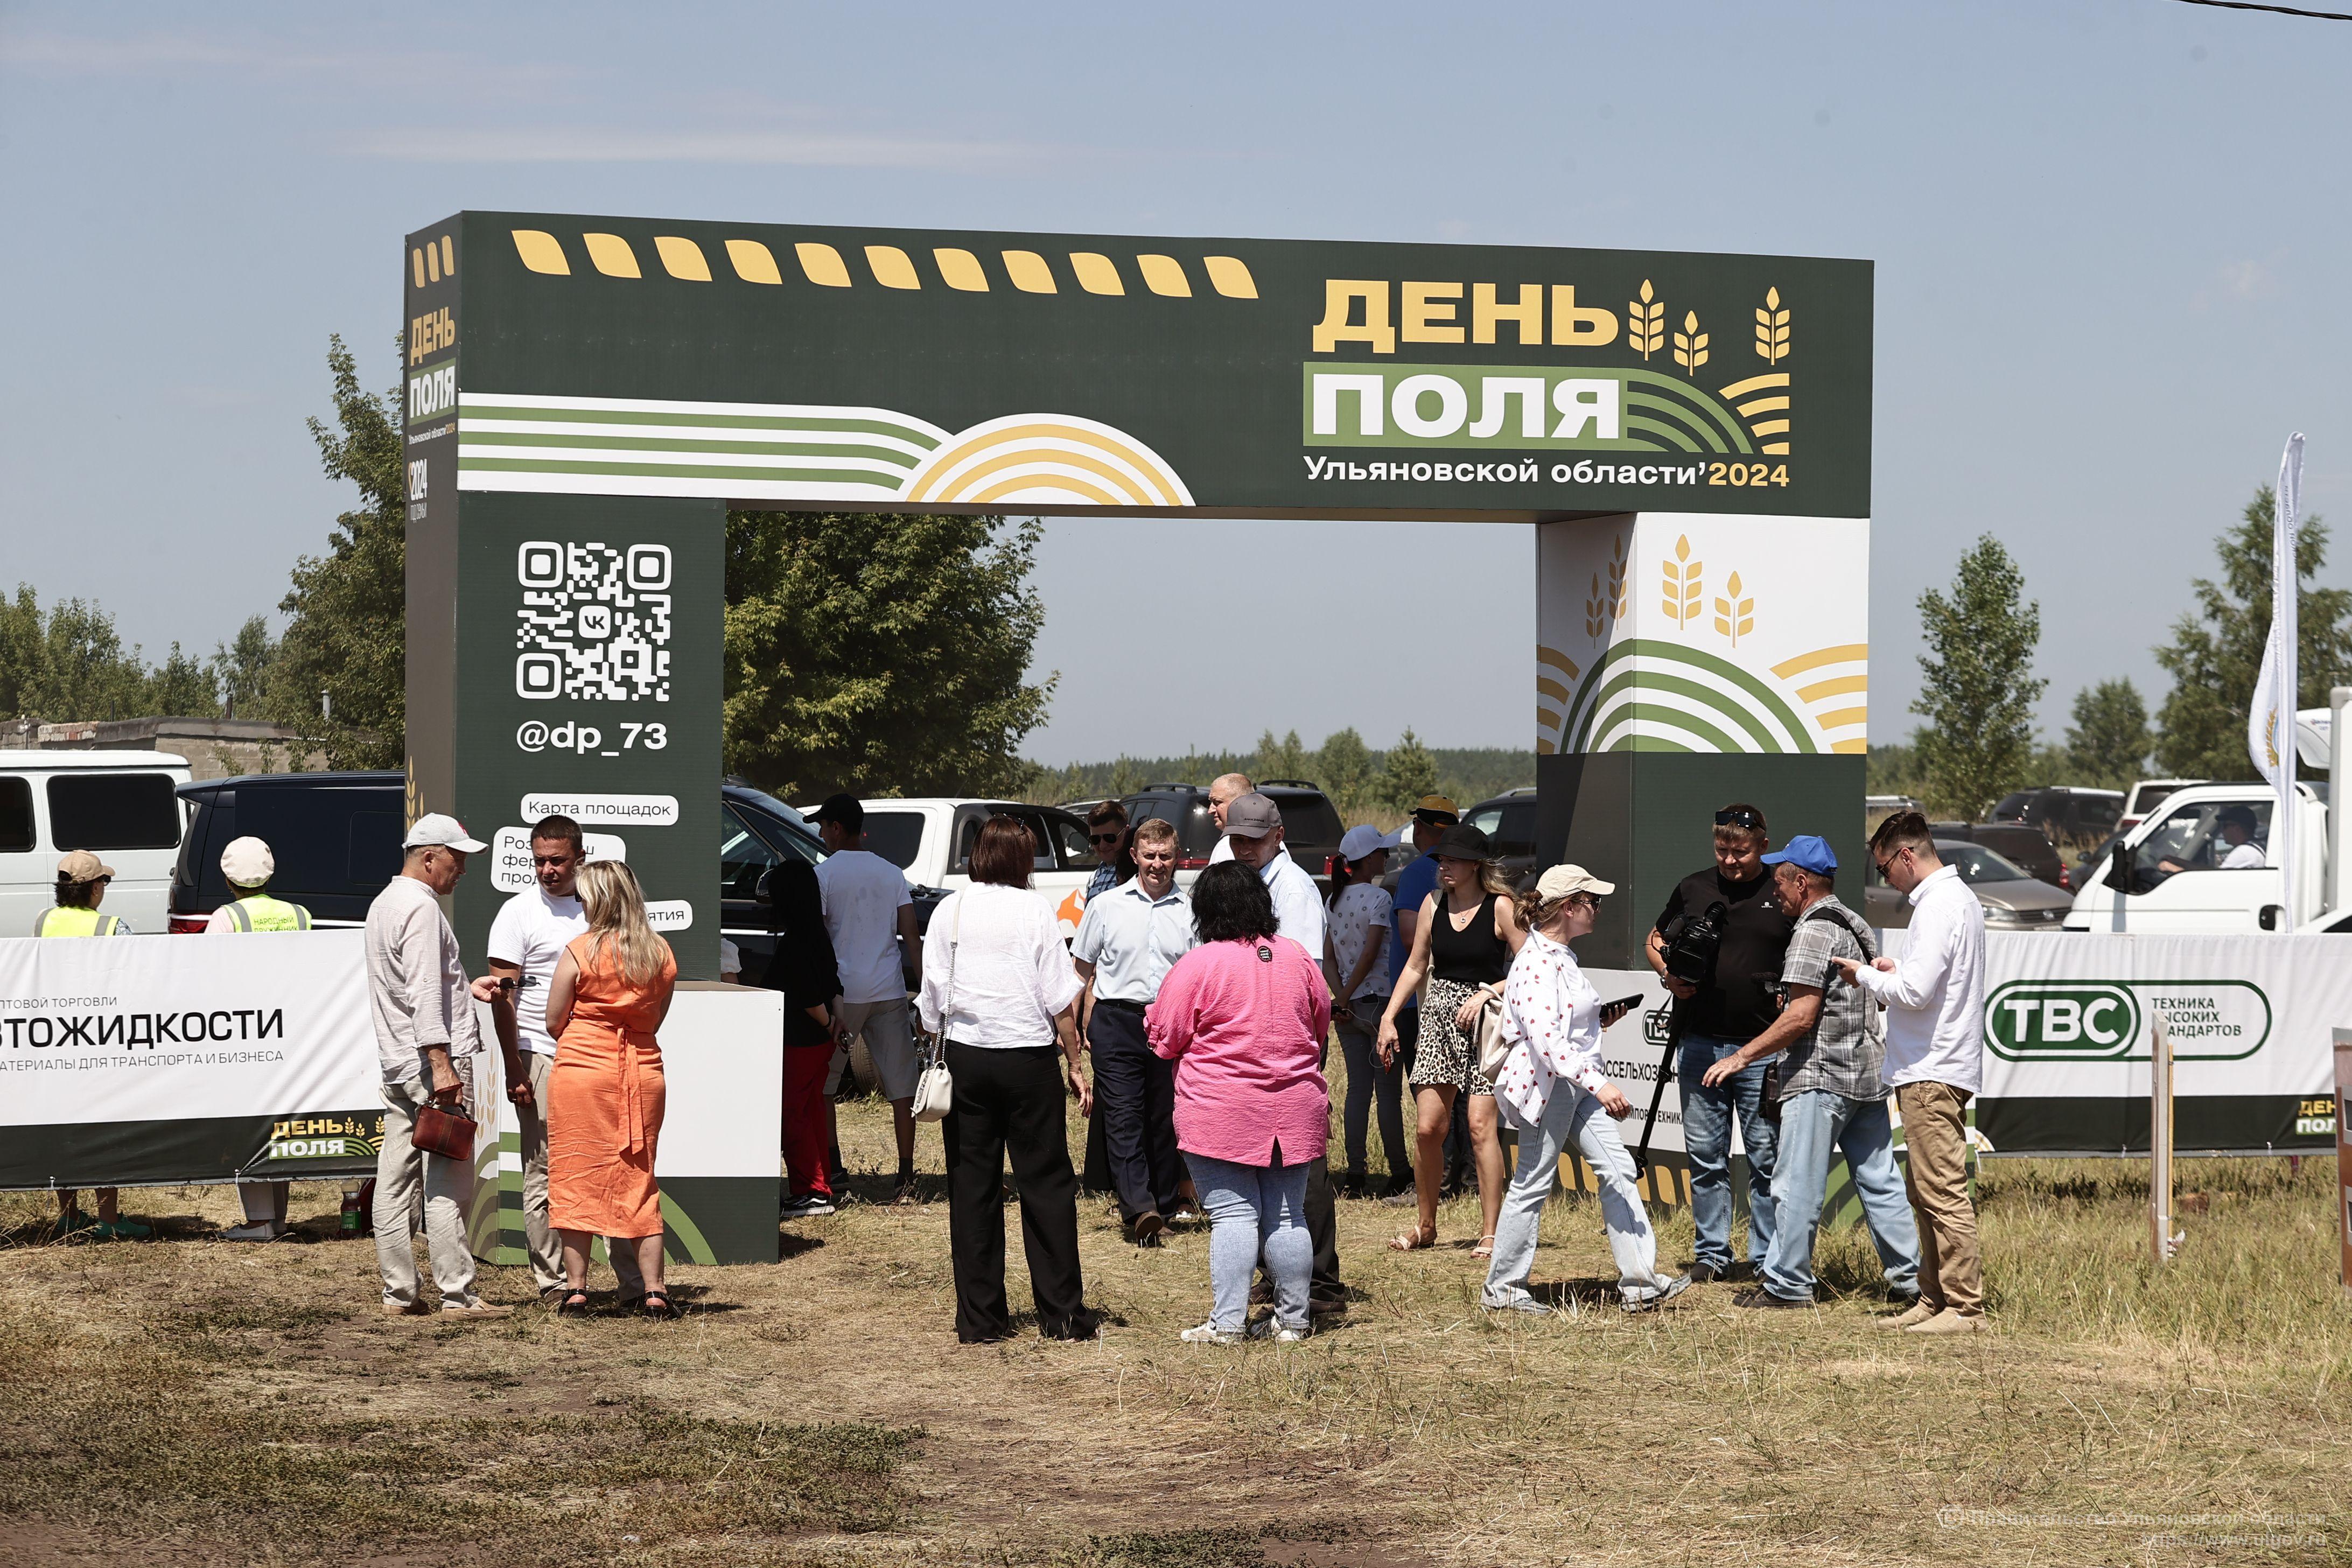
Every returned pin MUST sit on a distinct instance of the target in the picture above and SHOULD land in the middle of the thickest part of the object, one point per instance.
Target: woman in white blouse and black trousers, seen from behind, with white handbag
(998, 986)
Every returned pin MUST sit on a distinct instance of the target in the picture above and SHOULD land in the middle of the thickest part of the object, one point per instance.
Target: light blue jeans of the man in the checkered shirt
(1815, 1127)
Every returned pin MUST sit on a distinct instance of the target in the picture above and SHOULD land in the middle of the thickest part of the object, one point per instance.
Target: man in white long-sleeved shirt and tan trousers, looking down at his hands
(1935, 1061)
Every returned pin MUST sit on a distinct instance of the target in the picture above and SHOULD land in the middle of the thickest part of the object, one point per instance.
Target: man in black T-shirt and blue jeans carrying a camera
(1720, 946)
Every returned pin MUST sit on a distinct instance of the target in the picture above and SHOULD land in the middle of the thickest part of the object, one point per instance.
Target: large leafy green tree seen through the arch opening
(881, 655)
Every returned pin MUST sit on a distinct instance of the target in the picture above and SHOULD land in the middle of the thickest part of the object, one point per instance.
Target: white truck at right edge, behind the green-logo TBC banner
(2203, 859)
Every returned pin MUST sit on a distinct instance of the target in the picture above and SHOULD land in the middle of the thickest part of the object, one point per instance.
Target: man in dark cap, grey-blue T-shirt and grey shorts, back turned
(867, 916)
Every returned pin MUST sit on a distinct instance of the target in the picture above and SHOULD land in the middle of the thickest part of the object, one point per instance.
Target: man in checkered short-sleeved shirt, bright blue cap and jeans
(1831, 1092)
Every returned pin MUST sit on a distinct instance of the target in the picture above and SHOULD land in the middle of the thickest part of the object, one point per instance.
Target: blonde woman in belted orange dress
(610, 993)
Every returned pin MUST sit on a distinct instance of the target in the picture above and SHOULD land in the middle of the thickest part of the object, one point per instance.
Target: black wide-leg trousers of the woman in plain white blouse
(1008, 1104)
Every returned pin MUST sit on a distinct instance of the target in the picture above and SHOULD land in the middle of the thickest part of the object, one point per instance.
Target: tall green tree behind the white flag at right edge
(2217, 652)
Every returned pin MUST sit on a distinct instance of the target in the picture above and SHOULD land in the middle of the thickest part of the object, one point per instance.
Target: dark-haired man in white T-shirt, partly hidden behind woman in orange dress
(526, 942)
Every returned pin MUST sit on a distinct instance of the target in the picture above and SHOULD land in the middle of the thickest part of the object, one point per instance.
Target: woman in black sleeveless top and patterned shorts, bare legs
(1464, 944)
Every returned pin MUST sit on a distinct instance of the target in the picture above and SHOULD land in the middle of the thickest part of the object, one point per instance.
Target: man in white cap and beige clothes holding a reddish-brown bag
(422, 1010)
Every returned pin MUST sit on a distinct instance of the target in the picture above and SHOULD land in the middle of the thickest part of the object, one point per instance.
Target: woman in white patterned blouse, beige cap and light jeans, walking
(1553, 1090)
